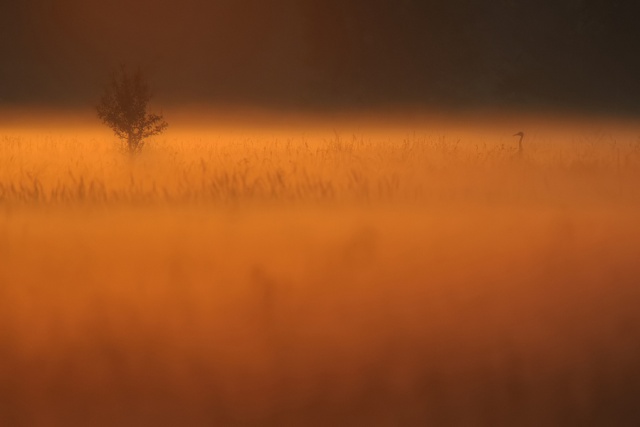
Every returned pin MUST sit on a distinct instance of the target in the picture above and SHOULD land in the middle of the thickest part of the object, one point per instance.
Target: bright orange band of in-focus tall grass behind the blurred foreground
(221, 169)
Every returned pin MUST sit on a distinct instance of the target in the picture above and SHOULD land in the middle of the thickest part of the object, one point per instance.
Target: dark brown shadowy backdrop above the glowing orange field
(560, 54)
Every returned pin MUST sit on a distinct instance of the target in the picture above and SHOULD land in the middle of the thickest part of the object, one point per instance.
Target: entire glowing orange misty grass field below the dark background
(336, 272)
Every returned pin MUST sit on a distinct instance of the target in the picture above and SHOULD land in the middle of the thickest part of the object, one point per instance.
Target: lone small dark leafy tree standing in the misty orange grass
(123, 107)
